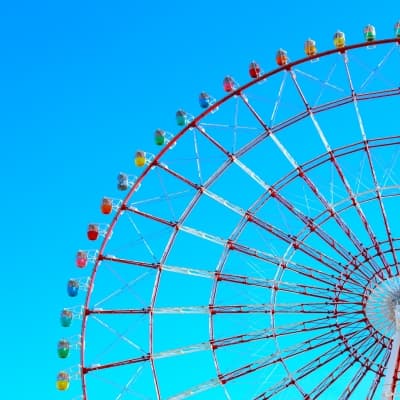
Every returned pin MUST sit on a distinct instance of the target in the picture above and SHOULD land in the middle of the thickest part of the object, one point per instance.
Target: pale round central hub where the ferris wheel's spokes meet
(383, 305)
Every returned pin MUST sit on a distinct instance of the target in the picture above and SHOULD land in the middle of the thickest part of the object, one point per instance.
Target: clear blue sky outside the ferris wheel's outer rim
(82, 86)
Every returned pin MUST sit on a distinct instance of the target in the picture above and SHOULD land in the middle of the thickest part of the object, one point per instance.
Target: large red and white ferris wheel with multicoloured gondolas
(255, 253)
